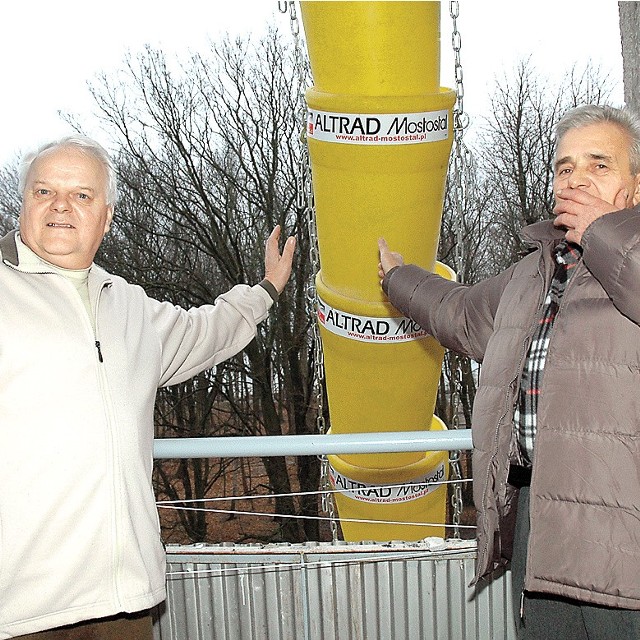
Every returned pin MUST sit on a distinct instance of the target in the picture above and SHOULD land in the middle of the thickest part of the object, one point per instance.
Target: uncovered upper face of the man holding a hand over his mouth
(596, 158)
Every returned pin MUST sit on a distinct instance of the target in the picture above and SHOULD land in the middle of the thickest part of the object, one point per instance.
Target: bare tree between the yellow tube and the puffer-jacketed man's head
(517, 148)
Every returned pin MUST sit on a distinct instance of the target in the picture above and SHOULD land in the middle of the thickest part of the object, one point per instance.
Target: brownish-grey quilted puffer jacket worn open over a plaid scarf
(585, 489)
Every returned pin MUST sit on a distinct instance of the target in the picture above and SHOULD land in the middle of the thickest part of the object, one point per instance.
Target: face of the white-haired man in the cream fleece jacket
(64, 213)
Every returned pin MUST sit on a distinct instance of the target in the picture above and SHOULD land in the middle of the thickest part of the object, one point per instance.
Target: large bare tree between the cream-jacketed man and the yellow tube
(208, 156)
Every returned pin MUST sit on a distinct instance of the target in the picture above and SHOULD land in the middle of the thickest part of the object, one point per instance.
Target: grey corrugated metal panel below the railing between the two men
(332, 591)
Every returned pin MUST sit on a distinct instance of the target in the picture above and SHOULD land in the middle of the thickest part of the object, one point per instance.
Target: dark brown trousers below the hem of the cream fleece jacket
(136, 626)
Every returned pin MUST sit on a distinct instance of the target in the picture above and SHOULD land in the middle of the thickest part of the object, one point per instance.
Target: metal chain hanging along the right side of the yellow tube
(457, 173)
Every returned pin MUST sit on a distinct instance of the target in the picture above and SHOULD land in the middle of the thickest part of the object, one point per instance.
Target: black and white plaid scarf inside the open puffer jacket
(526, 410)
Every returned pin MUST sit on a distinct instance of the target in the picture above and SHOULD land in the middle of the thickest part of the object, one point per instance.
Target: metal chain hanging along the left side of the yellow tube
(305, 202)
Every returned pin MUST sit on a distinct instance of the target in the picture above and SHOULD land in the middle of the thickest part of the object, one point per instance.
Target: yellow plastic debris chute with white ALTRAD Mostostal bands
(380, 134)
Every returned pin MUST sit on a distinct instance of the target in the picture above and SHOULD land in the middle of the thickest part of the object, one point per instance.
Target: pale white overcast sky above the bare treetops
(50, 51)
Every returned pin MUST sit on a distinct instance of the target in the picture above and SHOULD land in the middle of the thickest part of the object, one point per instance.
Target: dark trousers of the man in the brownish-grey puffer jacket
(552, 618)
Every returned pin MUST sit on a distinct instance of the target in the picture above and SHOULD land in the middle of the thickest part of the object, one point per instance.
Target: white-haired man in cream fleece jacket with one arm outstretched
(82, 353)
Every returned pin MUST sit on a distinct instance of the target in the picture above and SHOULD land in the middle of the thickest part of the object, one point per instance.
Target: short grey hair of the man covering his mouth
(625, 118)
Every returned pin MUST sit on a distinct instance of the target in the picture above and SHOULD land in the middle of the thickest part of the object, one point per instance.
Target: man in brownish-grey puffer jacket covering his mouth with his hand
(556, 420)
